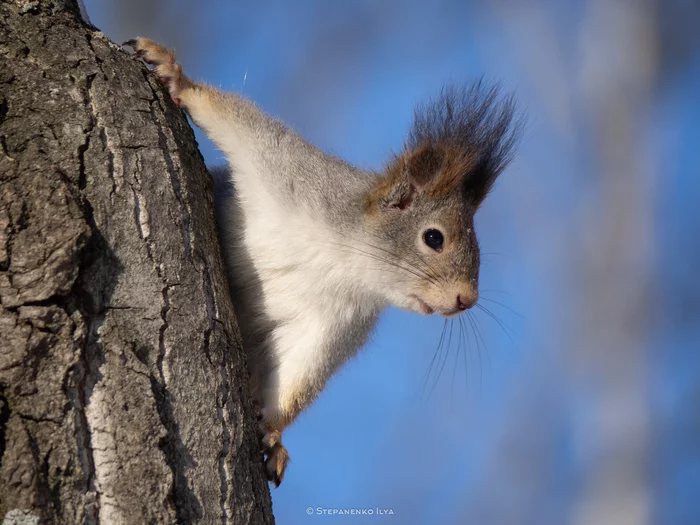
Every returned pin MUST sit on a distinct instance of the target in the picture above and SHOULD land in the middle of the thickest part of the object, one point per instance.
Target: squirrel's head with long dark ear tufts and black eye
(422, 208)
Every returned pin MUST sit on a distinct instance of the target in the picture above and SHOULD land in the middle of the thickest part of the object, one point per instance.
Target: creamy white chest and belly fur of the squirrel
(310, 294)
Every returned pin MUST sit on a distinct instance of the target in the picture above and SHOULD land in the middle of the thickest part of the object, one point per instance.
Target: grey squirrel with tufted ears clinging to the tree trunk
(316, 248)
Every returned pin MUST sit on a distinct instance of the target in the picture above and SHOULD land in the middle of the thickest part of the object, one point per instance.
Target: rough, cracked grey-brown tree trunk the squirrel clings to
(123, 389)
